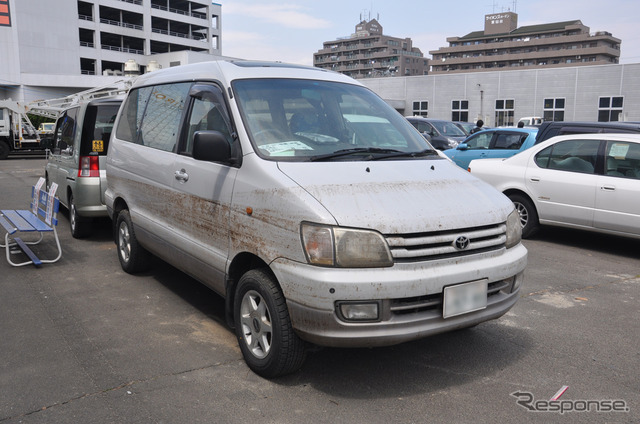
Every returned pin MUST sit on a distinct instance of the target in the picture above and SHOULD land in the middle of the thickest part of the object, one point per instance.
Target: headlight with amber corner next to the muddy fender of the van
(344, 247)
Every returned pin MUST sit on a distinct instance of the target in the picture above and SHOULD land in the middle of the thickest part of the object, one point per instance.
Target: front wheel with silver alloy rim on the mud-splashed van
(268, 343)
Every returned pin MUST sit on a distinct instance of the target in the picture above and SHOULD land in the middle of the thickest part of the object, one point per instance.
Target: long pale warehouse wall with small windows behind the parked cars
(581, 88)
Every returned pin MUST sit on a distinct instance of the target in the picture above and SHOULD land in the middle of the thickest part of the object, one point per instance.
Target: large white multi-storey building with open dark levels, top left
(50, 48)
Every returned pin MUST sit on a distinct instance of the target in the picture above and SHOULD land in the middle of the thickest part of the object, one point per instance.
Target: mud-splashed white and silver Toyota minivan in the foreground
(314, 208)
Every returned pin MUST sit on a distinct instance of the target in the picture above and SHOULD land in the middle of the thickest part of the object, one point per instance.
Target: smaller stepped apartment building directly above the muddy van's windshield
(369, 53)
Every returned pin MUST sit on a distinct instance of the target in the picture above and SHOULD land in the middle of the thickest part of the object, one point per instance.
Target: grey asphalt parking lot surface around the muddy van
(83, 342)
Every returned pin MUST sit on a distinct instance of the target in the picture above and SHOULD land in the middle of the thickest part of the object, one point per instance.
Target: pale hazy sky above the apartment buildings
(292, 31)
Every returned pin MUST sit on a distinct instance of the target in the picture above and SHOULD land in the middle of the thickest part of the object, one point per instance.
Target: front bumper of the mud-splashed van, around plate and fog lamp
(313, 295)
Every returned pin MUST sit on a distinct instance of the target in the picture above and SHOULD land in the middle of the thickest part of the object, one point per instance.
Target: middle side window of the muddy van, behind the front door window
(161, 121)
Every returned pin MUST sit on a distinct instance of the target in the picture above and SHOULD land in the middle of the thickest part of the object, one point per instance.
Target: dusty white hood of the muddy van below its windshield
(397, 197)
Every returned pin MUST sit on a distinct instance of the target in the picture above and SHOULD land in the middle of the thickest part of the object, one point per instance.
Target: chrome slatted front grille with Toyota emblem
(446, 244)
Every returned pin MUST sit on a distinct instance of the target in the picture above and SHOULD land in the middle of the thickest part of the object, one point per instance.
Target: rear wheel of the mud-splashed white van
(133, 257)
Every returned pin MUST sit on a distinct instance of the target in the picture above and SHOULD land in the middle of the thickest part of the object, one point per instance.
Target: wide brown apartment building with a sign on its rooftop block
(503, 45)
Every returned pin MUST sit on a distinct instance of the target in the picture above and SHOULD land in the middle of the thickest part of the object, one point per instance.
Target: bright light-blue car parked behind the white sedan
(492, 143)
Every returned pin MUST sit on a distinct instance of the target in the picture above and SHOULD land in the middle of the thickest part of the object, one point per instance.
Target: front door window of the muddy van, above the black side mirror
(207, 113)
